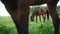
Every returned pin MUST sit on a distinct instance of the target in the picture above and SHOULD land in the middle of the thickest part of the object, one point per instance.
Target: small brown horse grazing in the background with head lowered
(40, 11)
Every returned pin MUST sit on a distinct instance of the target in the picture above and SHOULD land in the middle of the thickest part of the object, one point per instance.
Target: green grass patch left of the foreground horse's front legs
(7, 26)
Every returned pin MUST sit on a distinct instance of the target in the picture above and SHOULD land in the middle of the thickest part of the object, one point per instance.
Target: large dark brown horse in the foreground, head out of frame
(19, 11)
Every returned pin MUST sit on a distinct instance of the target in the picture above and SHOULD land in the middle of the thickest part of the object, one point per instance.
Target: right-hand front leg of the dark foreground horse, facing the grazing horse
(22, 24)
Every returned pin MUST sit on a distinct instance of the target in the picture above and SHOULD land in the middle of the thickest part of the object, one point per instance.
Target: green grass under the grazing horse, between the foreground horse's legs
(41, 27)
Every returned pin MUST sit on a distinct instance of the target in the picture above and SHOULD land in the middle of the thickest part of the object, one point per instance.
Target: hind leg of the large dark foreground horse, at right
(54, 15)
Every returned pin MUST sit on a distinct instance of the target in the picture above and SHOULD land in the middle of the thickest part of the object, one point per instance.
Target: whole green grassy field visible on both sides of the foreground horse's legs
(7, 26)
